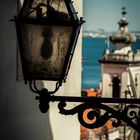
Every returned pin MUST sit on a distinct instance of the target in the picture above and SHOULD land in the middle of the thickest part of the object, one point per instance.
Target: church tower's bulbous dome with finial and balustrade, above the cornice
(122, 40)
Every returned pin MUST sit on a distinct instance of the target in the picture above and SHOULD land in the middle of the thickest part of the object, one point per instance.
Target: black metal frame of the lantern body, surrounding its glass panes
(73, 22)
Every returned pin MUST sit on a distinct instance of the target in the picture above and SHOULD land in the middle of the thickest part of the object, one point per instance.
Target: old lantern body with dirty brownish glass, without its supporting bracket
(47, 32)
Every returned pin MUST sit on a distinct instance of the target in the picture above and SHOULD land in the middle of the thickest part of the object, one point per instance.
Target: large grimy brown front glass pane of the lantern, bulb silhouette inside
(44, 49)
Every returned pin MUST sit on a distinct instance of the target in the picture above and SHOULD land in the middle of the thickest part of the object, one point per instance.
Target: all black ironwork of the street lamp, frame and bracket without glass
(126, 110)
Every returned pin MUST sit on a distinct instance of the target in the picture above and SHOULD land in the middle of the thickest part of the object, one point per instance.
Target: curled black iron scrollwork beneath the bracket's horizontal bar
(98, 114)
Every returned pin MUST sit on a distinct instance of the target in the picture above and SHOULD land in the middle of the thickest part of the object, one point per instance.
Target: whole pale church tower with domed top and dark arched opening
(117, 66)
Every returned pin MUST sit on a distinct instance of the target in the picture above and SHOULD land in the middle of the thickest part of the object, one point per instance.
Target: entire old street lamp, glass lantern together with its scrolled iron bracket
(47, 32)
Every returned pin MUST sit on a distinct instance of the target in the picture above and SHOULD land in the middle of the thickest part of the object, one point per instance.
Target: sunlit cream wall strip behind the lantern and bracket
(68, 127)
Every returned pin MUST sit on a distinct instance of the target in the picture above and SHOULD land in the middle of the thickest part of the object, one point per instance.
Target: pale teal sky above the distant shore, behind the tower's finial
(104, 14)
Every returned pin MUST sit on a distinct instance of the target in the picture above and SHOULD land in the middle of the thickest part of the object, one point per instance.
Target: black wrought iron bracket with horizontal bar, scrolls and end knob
(100, 110)
